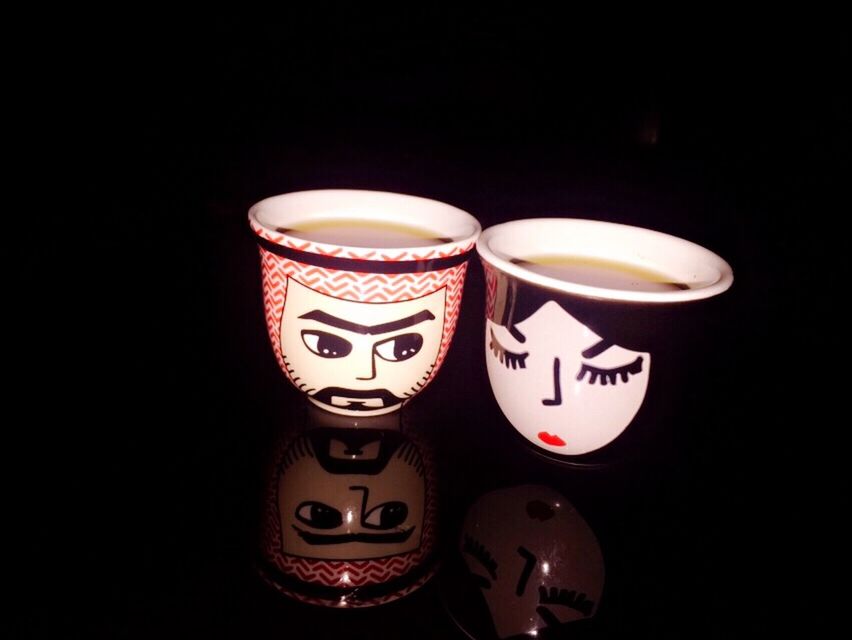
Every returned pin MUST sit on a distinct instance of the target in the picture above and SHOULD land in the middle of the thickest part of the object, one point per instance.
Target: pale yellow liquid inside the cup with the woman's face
(598, 272)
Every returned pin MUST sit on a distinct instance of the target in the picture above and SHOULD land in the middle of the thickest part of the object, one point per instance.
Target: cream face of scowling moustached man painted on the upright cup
(359, 357)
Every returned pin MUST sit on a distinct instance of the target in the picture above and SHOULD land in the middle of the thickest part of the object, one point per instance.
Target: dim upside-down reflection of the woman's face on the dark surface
(536, 560)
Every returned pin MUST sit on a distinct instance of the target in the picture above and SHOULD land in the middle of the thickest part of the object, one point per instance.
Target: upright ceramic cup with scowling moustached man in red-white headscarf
(361, 291)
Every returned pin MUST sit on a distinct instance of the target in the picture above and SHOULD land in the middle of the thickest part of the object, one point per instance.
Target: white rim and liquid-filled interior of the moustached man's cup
(360, 219)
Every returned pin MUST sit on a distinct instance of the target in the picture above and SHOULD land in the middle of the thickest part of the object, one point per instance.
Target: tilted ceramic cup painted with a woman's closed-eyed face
(586, 327)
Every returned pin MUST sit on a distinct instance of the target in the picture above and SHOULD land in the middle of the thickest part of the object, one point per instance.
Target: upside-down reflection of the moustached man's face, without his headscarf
(353, 494)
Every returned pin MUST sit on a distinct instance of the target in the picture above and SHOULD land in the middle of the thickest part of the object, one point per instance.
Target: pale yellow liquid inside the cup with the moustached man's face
(375, 234)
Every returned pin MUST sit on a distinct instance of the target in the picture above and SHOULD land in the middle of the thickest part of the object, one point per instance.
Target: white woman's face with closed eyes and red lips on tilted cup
(560, 384)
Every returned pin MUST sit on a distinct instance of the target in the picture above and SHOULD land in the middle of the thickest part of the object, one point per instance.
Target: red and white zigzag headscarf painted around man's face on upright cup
(360, 287)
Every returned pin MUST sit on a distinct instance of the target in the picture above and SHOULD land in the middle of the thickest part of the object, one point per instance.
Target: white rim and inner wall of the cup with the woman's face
(658, 251)
